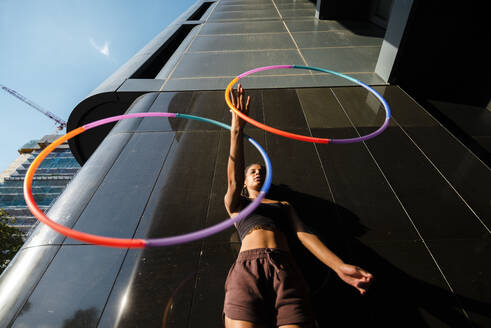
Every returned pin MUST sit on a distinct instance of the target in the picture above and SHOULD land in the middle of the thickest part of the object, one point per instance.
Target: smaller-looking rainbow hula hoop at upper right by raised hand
(298, 136)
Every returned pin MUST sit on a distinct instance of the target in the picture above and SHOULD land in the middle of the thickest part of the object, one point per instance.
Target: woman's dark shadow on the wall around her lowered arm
(395, 299)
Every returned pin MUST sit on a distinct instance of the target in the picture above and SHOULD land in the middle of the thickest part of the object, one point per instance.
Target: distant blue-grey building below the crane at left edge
(52, 176)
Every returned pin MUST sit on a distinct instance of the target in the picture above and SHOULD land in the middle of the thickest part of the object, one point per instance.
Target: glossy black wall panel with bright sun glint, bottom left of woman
(154, 288)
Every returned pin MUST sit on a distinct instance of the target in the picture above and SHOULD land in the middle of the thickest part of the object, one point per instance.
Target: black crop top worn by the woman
(267, 215)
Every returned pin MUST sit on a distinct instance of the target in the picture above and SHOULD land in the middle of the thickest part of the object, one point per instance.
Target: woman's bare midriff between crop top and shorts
(264, 238)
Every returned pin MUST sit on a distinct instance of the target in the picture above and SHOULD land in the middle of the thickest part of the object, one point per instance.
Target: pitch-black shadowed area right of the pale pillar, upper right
(444, 67)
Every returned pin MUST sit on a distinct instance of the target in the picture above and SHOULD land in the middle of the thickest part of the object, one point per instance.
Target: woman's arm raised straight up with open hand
(235, 166)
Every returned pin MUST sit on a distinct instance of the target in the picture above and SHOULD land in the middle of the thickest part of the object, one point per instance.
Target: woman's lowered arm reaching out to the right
(352, 275)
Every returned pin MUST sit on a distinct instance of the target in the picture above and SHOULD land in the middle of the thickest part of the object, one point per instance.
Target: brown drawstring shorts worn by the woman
(266, 286)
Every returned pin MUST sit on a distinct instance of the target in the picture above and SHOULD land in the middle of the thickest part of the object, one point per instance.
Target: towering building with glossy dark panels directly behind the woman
(412, 205)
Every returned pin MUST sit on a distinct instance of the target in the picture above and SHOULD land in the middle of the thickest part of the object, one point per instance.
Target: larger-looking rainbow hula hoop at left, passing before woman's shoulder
(139, 243)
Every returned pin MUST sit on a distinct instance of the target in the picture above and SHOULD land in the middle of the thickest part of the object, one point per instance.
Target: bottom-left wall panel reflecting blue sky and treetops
(74, 289)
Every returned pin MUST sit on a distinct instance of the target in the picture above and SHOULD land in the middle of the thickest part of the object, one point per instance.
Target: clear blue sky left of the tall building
(56, 52)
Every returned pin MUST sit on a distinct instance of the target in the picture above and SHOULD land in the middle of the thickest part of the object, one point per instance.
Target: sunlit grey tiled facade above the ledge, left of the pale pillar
(282, 32)
